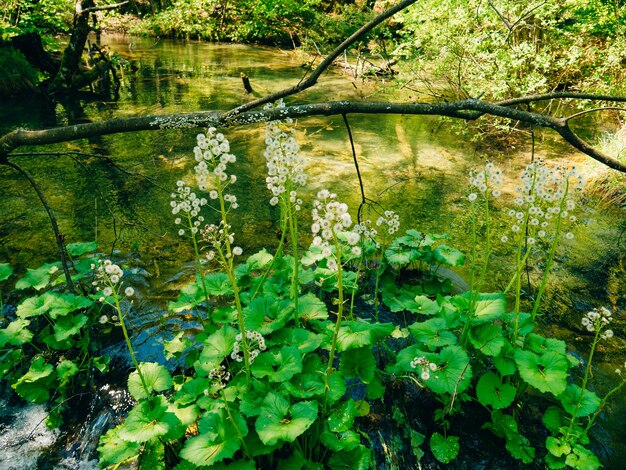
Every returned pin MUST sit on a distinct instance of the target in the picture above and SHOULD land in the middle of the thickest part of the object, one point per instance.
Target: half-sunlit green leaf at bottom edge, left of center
(218, 439)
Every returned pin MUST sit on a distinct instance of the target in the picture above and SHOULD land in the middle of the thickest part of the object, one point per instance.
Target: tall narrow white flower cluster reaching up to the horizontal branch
(285, 166)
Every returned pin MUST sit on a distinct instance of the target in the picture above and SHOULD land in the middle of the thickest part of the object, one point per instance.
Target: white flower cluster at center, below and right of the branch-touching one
(331, 219)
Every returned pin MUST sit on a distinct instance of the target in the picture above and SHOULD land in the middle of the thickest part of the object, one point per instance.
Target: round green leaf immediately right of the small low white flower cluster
(453, 372)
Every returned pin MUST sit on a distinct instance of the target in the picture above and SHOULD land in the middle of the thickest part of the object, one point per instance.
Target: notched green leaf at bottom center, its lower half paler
(280, 421)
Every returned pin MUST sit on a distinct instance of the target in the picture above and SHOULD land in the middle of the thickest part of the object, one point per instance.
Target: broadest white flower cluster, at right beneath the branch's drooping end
(544, 199)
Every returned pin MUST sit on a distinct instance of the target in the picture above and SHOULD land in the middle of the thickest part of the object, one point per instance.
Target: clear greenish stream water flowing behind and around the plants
(115, 189)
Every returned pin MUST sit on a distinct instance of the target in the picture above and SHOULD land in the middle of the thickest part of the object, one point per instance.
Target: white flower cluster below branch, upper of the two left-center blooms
(212, 155)
